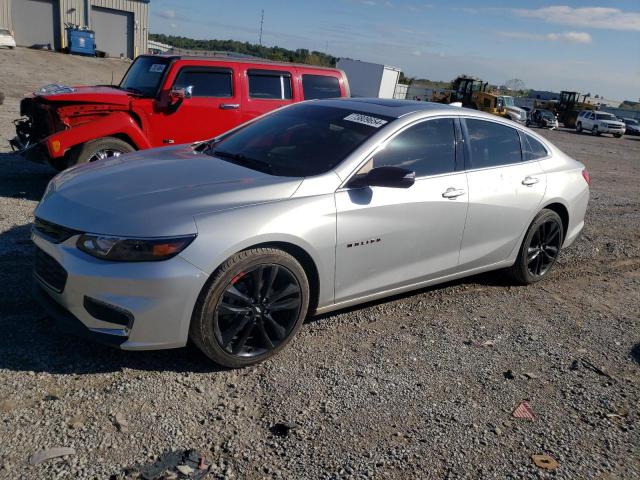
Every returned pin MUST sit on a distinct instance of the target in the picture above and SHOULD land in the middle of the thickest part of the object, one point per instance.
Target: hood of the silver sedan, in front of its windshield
(155, 193)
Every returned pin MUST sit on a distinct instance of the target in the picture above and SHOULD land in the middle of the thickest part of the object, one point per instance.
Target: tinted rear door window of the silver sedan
(492, 144)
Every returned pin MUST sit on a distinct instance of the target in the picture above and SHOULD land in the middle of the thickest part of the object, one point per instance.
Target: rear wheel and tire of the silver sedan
(521, 269)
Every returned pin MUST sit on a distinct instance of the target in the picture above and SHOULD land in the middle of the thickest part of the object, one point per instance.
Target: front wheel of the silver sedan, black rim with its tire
(225, 313)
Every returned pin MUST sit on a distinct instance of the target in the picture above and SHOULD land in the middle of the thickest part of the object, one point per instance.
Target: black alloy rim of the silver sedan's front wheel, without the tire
(257, 311)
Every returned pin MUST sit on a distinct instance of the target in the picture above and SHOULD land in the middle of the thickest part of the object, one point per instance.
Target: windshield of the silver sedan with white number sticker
(299, 141)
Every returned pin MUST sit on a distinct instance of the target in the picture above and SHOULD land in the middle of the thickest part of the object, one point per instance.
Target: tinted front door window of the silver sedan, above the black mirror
(427, 148)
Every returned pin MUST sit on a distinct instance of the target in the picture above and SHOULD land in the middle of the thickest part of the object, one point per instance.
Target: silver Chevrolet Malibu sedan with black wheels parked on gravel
(315, 207)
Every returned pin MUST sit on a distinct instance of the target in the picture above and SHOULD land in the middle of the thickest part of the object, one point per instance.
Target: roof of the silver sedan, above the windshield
(388, 107)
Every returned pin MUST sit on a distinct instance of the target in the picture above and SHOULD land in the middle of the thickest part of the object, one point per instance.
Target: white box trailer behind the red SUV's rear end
(370, 79)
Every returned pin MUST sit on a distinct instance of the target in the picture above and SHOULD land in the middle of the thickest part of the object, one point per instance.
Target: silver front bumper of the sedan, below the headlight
(158, 296)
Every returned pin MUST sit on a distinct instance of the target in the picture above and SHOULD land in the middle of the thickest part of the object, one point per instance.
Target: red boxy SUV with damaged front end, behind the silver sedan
(162, 100)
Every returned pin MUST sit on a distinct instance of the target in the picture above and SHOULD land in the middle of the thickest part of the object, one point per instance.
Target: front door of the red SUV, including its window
(213, 108)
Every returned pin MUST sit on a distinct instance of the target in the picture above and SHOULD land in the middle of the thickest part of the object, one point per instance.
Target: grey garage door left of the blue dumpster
(36, 23)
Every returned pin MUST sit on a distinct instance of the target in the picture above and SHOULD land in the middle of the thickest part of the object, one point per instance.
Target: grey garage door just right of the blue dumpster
(114, 31)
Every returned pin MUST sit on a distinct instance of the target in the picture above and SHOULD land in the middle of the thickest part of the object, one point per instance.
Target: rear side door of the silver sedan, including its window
(505, 192)
